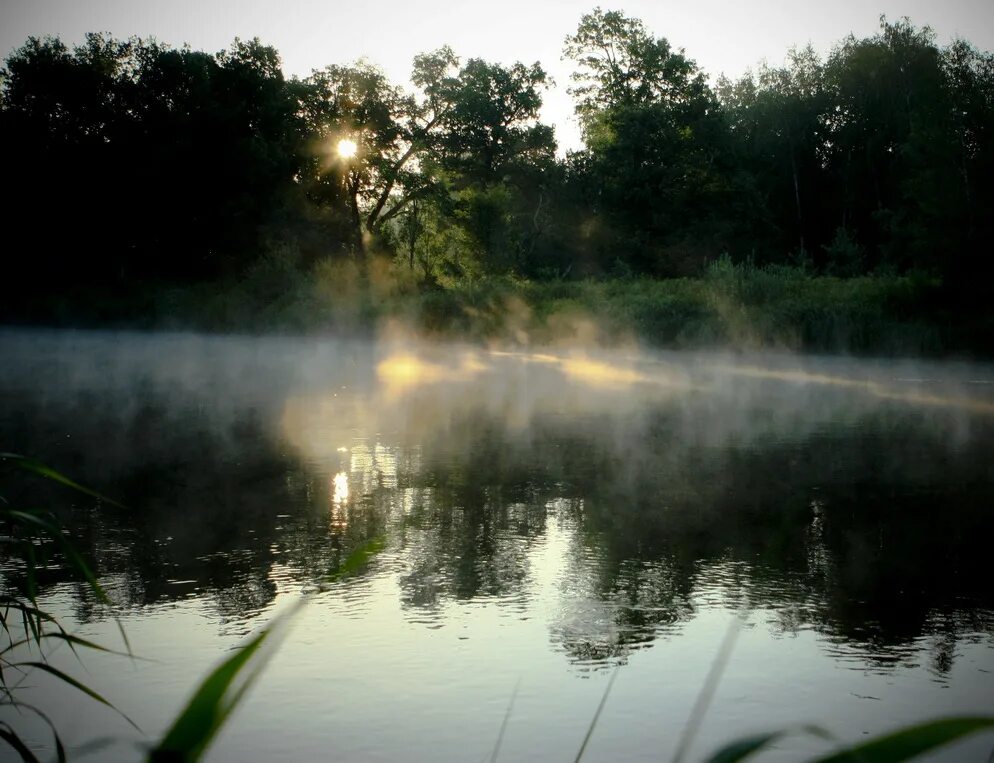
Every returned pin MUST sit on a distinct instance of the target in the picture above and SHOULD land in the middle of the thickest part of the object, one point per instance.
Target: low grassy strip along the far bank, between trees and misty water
(742, 306)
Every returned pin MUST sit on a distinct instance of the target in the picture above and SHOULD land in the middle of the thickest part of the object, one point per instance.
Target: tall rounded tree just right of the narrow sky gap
(656, 143)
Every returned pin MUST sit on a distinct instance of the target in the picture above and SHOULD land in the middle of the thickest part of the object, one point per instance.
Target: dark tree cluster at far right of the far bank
(872, 143)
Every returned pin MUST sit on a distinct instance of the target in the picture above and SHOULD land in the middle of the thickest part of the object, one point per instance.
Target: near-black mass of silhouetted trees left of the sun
(137, 161)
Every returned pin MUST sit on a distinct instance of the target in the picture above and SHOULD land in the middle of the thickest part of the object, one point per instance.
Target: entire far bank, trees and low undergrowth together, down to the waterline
(833, 204)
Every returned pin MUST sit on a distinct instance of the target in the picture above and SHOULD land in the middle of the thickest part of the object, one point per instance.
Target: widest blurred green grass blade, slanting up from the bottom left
(216, 698)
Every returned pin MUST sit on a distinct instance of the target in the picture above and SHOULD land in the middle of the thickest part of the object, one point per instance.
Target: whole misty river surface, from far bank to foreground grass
(543, 518)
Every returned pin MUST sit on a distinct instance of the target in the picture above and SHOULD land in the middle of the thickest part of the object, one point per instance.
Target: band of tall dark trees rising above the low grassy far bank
(133, 166)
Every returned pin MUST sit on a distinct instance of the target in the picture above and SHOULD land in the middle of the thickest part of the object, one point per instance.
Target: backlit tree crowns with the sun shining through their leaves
(469, 129)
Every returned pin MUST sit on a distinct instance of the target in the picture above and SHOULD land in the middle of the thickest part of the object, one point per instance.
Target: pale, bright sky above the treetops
(722, 36)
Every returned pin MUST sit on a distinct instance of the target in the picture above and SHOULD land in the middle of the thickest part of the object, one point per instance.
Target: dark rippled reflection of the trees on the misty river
(613, 515)
